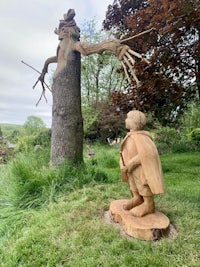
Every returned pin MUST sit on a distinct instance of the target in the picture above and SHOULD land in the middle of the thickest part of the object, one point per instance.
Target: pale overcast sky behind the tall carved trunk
(27, 34)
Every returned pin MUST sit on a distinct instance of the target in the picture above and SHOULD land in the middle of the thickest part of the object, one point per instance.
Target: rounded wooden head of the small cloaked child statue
(136, 120)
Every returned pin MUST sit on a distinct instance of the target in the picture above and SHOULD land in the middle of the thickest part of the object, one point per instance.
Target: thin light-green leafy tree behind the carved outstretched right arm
(99, 73)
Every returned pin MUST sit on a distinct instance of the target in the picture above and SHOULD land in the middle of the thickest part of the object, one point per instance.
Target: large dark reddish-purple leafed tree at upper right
(172, 48)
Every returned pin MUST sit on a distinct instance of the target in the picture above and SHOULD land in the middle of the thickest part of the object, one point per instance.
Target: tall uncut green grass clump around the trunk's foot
(28, 181)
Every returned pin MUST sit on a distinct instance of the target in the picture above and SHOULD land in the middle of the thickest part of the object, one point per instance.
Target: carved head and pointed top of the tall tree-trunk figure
(67, 28)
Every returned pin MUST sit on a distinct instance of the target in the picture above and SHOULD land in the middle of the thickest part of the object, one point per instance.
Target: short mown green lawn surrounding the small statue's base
(70, 229)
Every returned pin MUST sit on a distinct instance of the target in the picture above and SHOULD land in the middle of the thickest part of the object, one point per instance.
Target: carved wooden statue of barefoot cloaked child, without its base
(140, 166)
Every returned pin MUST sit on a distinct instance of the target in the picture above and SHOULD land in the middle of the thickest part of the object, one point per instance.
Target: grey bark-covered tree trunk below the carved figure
(67, 123)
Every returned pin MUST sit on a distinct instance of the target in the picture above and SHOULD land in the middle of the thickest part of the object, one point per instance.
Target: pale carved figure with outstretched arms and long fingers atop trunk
(69, 35)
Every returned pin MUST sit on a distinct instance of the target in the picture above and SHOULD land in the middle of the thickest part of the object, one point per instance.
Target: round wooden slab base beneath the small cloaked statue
(149, 227)
